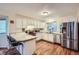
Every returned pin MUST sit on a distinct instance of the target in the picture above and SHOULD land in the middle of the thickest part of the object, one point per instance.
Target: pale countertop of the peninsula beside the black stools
(23, 37)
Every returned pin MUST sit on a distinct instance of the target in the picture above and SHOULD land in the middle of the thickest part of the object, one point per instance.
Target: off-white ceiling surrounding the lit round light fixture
(34, 9)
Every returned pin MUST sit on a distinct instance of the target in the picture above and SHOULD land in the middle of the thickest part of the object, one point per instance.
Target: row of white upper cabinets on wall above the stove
(24, 22)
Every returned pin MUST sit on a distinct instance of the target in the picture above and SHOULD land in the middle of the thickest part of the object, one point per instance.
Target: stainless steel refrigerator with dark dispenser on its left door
(70, 32)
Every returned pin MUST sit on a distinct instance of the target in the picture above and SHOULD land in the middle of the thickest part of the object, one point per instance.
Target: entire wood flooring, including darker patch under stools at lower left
(43, 48)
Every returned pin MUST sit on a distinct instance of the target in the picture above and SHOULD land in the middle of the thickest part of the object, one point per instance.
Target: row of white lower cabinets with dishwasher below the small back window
(48, 37)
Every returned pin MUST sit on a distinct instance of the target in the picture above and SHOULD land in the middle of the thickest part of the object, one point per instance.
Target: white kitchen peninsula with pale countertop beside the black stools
(28, 41)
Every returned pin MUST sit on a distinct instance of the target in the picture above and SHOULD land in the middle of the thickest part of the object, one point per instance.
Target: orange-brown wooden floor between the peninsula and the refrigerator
(45, 48)
